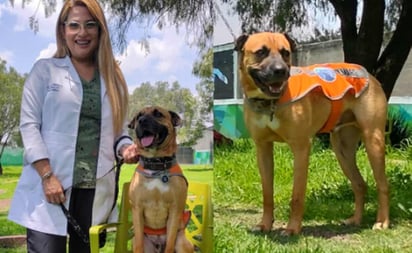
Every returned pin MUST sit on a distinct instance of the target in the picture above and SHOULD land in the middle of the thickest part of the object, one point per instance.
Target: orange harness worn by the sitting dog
(164, 175)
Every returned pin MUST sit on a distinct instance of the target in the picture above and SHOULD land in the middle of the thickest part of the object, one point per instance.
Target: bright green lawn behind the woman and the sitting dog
(8, 181)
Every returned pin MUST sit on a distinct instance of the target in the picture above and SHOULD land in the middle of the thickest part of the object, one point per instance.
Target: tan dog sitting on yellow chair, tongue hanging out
(158, 189)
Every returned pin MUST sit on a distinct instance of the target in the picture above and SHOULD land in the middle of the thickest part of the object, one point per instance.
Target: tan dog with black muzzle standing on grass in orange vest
(266, 77)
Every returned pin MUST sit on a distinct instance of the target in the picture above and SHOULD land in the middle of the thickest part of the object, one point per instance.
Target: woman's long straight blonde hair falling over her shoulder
(113, 77)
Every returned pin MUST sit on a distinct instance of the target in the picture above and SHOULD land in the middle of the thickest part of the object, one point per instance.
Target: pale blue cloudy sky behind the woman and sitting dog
(170, 57)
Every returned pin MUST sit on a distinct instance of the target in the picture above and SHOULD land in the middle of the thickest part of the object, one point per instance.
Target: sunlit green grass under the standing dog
(238, 203)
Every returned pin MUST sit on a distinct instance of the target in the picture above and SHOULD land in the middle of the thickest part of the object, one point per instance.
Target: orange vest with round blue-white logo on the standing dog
(334, 80)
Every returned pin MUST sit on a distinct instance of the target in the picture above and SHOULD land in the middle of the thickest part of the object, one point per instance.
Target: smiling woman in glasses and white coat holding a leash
(73, 113)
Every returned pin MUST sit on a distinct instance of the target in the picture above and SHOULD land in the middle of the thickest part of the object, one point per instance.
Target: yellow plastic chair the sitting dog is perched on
(199, 230)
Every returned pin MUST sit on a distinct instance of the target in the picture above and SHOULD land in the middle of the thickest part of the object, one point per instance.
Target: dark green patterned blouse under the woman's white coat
(88, 137)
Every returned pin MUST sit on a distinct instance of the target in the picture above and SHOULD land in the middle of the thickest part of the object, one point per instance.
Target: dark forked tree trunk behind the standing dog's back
(363, 46)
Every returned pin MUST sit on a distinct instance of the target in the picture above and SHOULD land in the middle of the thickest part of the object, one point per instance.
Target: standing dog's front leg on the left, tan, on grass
(264, 152)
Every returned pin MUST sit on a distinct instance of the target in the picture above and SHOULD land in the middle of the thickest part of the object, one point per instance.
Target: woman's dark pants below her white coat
(81, 203)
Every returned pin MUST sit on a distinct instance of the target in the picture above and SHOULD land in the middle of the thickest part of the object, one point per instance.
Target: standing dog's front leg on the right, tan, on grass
(301, 152)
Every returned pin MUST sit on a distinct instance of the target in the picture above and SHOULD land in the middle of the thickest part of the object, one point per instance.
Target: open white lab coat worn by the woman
(49, 121)
